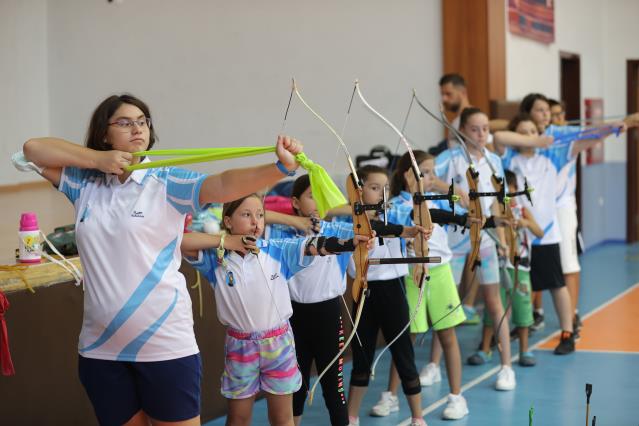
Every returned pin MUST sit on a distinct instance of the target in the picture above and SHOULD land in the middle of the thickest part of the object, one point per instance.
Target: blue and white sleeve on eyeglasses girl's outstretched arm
(183, 189)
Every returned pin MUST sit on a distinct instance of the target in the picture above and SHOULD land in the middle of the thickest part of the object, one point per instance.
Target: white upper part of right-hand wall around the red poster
(601, 32)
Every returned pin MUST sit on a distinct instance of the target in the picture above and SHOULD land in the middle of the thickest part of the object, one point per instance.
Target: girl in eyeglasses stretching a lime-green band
(138, 358)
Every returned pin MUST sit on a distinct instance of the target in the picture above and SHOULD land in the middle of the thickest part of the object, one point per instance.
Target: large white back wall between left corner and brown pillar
(218, 73)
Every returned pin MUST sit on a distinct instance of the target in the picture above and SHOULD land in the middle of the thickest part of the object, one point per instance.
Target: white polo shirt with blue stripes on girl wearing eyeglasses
(136, 304)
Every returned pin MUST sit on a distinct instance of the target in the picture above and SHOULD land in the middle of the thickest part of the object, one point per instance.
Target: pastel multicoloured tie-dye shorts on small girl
(257, 361)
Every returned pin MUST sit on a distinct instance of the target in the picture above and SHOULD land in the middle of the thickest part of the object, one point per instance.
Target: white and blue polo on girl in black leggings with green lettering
(325, 278)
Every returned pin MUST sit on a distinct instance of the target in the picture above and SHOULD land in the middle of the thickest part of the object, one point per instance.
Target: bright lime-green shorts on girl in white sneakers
(440, 298)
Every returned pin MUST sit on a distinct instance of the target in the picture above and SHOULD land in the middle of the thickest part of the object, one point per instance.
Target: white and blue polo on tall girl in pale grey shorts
(452, 165)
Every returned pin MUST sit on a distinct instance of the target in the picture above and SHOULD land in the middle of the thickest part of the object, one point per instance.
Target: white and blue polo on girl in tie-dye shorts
(251, 292)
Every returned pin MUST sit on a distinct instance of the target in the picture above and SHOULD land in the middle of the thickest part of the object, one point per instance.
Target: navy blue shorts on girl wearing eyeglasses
(165, 390)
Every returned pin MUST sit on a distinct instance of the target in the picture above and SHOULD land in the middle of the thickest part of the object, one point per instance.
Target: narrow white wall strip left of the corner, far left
(24, 99)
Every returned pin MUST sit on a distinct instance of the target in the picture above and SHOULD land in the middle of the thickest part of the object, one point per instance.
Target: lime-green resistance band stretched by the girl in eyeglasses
(326, 194)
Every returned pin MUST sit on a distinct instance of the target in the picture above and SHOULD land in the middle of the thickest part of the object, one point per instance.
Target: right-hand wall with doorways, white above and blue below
(603, 34)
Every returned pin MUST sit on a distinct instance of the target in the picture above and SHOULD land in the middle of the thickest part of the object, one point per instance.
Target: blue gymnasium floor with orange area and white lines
(607, 356)
